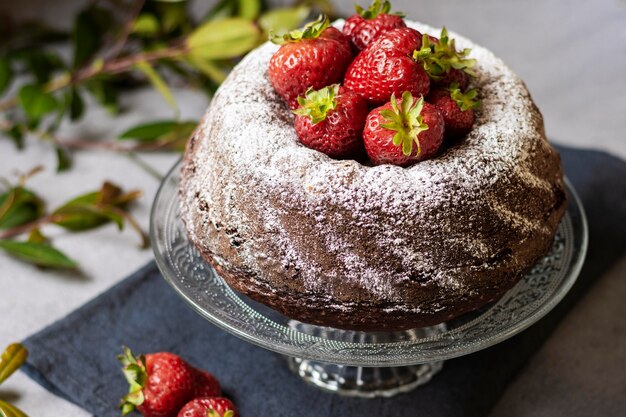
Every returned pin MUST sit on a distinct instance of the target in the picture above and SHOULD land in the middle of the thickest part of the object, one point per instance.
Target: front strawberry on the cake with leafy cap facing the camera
(403, 133)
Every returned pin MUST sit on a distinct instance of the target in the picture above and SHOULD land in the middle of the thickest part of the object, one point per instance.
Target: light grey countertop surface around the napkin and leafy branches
(571, 54)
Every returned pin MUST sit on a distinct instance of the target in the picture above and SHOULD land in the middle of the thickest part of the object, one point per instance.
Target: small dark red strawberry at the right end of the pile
(456, 108)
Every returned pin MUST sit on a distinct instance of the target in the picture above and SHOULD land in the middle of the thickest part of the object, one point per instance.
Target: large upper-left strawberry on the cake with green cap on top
(315, 57)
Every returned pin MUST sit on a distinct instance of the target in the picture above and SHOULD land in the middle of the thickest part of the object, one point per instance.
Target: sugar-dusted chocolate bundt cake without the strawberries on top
(343, 244)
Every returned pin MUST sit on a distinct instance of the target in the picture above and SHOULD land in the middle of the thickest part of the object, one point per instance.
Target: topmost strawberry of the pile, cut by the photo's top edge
(366, 25)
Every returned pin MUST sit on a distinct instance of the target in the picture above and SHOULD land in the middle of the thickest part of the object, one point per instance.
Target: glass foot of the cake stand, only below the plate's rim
(364, 382)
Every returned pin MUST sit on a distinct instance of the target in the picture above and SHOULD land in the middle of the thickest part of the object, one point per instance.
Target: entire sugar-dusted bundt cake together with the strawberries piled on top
(381, 177)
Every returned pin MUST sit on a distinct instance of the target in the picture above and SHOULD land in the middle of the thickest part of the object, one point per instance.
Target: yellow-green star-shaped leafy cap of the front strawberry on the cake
(406, 121)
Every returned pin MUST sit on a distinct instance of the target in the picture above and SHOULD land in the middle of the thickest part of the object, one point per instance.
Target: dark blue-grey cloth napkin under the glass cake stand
(75, 357)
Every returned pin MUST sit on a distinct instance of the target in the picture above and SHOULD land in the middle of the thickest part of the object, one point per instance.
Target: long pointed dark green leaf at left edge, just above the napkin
(40, 254)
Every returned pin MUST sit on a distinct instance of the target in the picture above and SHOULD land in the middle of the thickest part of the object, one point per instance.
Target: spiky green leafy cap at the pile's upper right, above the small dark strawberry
(438, 58)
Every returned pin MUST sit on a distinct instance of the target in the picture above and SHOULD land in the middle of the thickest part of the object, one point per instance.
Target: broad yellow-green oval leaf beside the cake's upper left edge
(222, 39)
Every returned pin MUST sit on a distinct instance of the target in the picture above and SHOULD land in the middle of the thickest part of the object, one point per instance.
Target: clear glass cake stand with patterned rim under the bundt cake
(363, 364)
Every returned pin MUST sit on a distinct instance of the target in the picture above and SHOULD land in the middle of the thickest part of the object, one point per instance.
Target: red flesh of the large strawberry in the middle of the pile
(386, 67)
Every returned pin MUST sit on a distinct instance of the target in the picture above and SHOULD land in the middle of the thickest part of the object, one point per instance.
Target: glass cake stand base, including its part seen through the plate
(364, 381)
